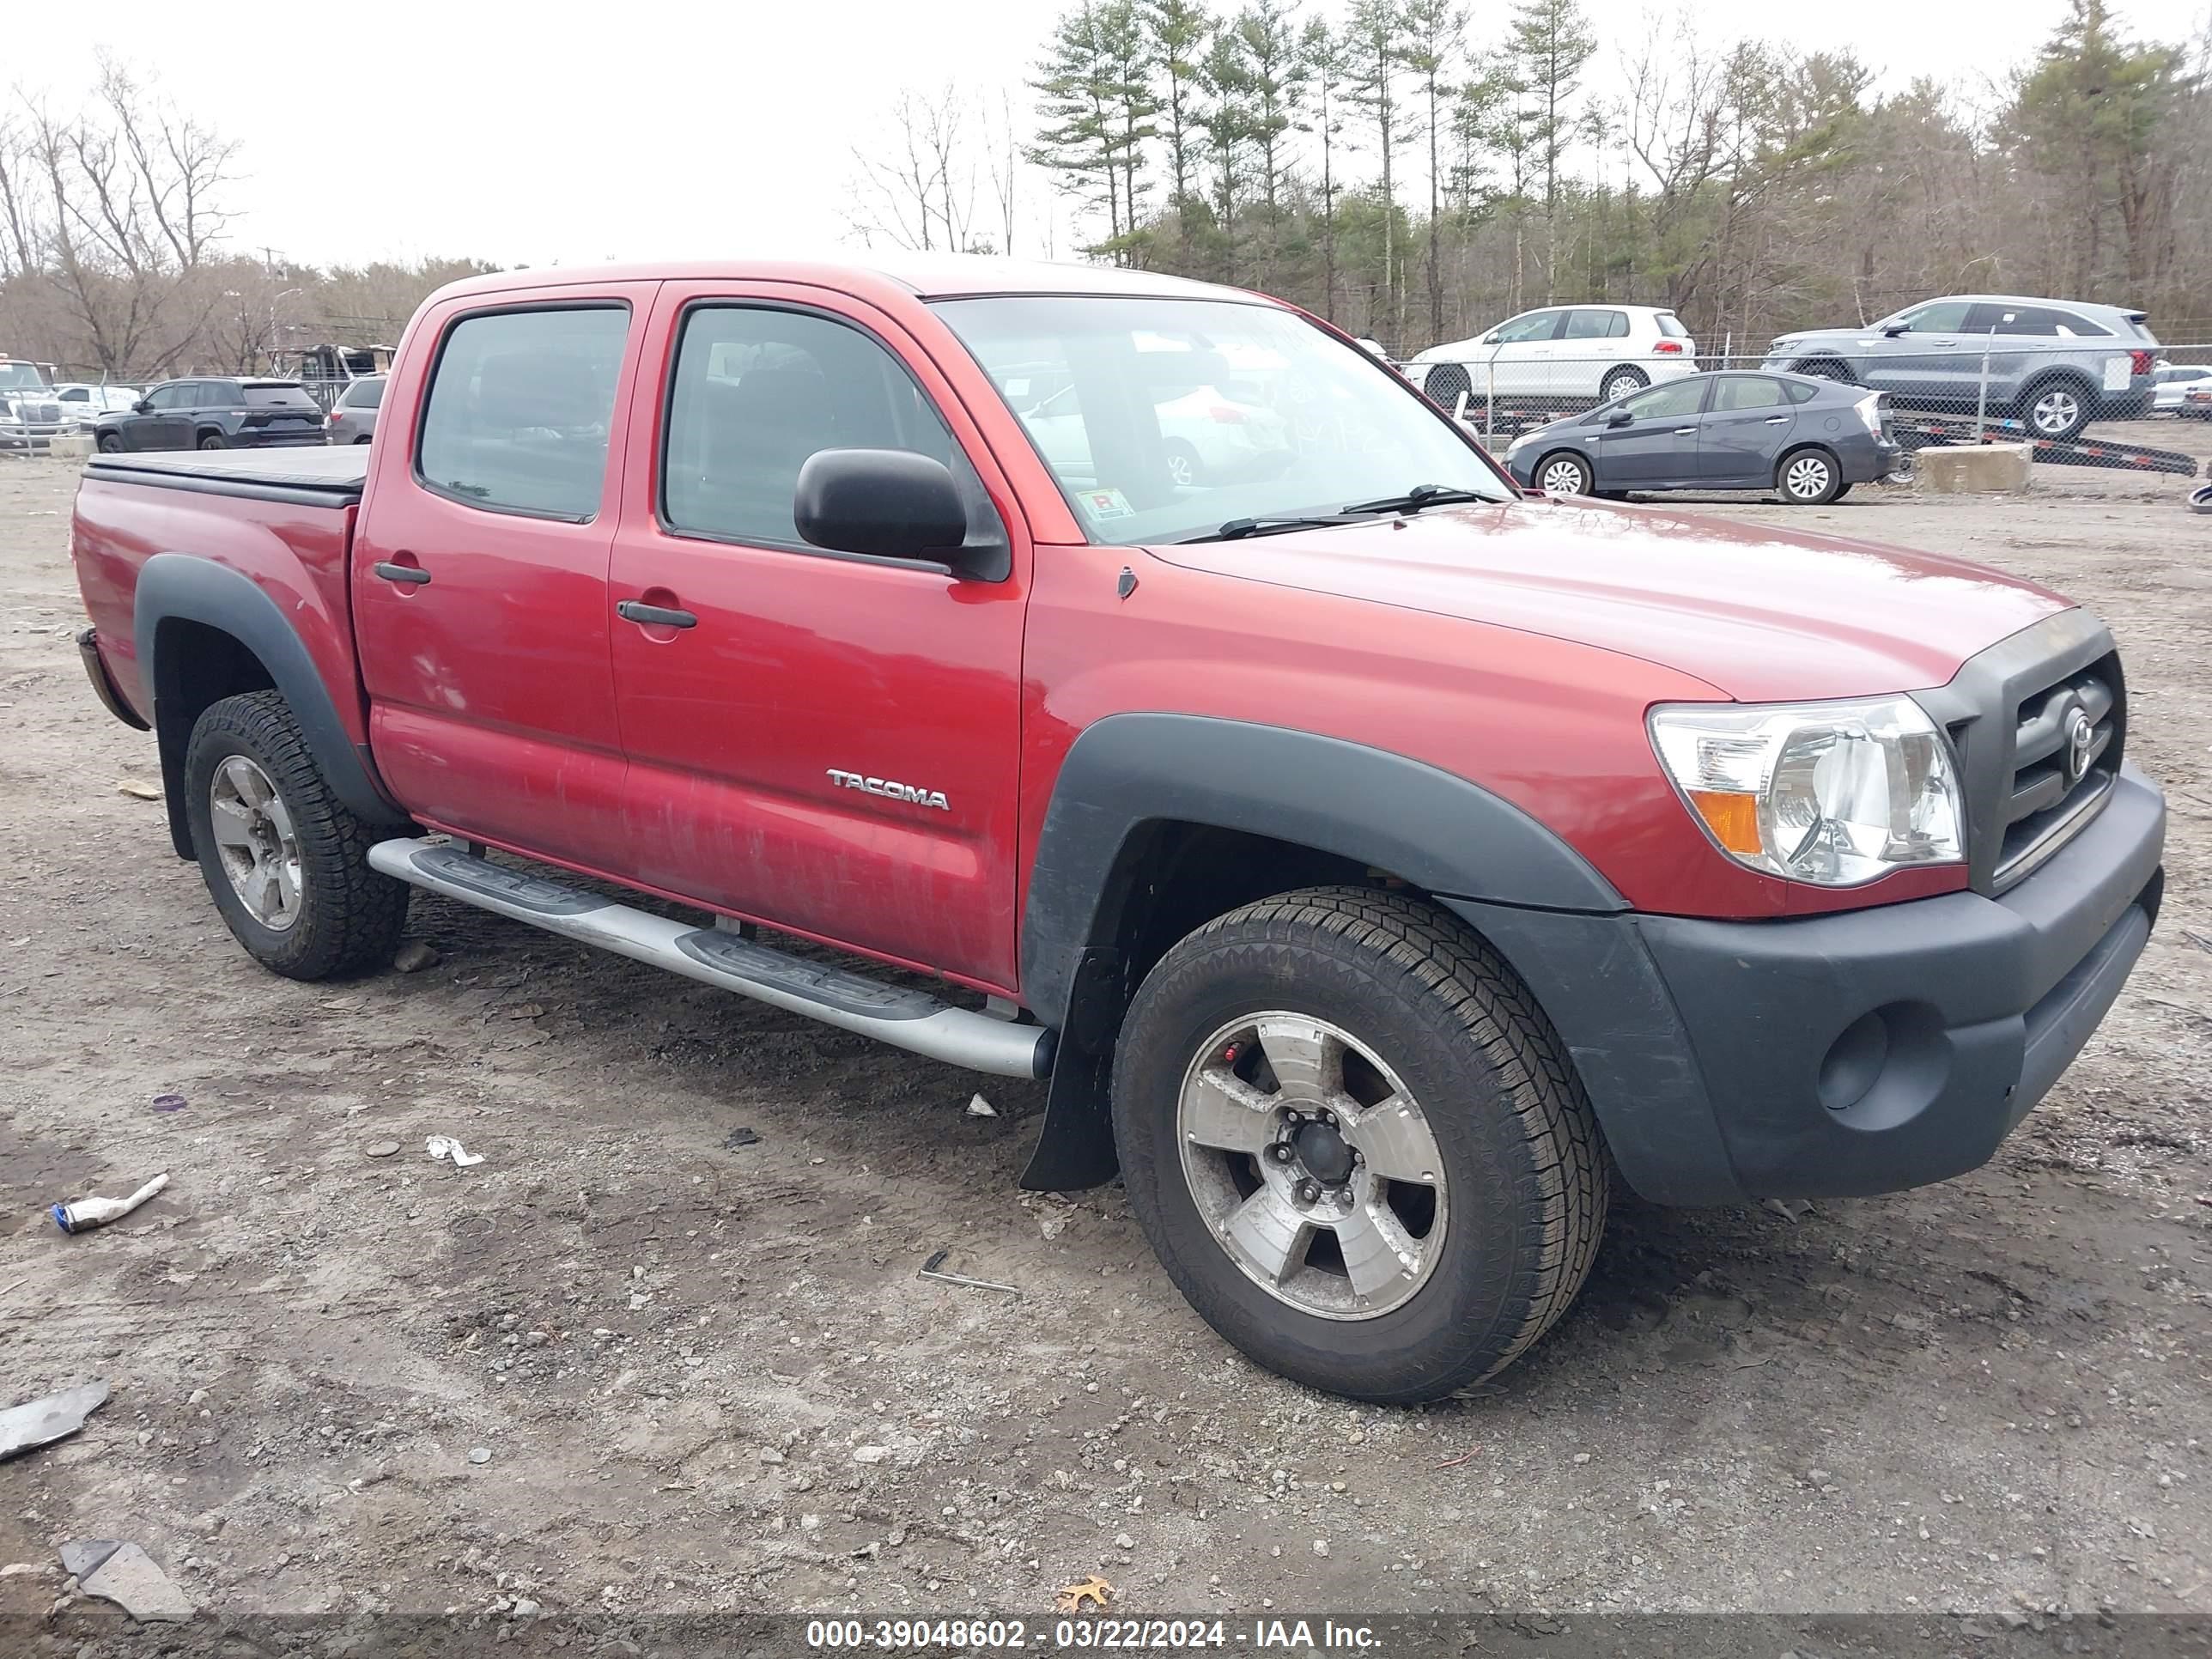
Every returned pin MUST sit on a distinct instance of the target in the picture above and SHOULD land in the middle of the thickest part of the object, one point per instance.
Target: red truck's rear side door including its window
(481, 572)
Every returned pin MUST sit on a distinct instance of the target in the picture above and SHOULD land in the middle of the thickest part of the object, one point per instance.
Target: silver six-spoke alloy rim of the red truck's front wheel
(1313, 1165)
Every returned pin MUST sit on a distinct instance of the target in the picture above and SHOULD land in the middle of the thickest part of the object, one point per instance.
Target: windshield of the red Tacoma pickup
(1167, 419)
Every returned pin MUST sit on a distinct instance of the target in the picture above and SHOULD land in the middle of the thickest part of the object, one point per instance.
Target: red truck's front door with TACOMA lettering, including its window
(822, 742)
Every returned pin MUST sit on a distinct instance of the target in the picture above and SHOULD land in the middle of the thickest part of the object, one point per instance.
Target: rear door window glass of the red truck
(521, 406)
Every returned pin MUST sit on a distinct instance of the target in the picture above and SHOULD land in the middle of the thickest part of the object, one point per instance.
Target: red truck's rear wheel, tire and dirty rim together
(284, 859)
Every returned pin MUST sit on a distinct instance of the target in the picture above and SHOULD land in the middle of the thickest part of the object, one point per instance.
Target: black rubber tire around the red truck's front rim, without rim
(1525, 1167)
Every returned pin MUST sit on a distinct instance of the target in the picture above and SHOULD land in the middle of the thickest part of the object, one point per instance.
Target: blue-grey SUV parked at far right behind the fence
(2054, 364)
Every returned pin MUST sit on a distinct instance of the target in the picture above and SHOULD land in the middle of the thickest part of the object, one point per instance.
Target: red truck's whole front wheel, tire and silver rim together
(1357, 1145)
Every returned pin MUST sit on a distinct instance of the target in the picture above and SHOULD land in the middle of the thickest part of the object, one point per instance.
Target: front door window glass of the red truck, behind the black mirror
(758, 393)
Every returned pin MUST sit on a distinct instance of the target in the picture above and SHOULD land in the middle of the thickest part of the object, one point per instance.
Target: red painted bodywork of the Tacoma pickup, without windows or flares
(1516, 647)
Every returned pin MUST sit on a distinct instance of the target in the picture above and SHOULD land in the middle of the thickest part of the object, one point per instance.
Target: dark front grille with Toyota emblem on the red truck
(2067, 742)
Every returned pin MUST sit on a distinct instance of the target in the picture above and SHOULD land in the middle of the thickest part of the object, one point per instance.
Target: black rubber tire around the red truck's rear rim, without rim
(351, 917)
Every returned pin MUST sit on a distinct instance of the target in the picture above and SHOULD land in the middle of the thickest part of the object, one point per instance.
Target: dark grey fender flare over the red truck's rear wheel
(182, 587)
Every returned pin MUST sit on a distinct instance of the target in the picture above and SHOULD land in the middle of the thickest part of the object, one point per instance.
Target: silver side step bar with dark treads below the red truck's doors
(890, 1014)
